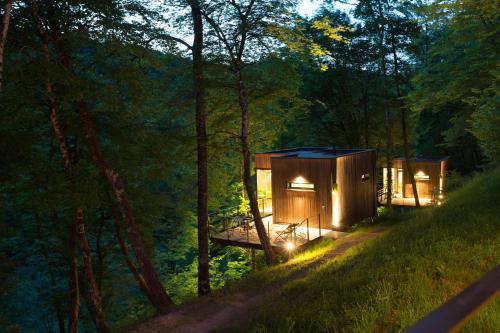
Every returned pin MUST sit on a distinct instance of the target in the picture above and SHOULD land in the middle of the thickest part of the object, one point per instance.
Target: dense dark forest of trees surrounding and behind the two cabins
(126, 126)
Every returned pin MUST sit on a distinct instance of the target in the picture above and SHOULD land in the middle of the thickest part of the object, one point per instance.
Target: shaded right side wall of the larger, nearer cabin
(357, 199)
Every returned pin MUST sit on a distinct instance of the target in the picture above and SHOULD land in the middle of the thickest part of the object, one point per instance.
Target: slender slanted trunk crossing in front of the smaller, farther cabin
(406, 148)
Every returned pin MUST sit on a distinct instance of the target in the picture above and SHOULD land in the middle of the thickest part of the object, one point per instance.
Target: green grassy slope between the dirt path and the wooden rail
(391, 282)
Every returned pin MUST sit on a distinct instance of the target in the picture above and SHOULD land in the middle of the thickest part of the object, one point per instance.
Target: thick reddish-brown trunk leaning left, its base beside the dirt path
(158, 296)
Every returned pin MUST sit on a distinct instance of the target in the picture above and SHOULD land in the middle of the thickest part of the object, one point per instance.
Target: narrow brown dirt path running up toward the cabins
(229, 311)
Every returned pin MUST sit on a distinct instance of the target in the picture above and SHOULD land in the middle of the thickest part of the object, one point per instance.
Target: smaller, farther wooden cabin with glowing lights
(429, 177)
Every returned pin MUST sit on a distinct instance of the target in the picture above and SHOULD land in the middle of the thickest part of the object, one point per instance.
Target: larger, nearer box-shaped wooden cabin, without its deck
(333, 188)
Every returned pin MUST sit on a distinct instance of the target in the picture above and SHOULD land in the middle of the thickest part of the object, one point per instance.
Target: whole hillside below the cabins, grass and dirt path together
(380, 278)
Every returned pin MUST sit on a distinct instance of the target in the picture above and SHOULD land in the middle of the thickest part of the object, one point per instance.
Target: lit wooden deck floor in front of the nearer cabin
(240, 236)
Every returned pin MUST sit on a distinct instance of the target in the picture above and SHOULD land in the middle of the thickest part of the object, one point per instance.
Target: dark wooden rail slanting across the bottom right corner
(457, 311)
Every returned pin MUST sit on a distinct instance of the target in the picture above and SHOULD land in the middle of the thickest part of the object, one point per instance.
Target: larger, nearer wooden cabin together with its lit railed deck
(305, 194)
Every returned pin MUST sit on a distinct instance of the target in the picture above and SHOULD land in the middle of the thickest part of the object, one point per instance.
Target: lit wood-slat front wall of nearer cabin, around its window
(291, 206)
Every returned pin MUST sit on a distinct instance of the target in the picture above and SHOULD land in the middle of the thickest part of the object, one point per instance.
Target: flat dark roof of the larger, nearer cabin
(314, 152)
